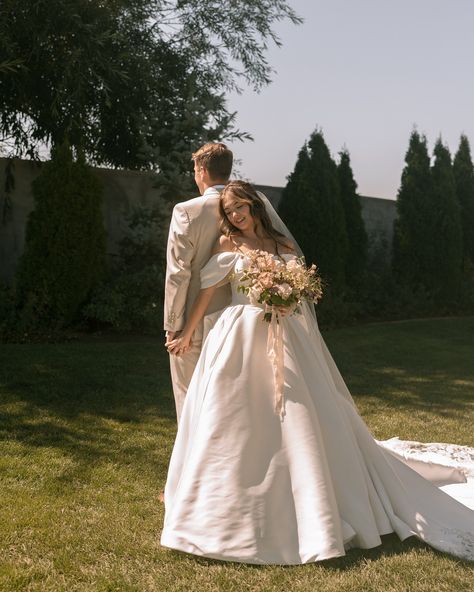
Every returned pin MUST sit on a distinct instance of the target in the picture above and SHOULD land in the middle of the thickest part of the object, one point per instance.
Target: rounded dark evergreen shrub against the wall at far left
(64, 255)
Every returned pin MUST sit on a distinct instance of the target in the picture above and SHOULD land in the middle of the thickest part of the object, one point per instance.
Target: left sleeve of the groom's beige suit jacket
(179, 254)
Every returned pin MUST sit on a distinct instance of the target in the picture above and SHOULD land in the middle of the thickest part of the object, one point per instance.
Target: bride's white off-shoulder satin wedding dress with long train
(245, 485)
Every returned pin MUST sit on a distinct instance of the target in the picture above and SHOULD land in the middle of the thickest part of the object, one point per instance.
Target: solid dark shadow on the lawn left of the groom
(123, 381)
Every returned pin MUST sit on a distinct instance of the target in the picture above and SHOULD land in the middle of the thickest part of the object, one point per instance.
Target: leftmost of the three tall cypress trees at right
(413, 253)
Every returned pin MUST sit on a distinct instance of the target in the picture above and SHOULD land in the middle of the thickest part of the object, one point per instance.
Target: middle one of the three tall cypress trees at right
(447, 228)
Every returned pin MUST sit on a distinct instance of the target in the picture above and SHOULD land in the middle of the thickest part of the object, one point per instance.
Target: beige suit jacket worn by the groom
(194, 230)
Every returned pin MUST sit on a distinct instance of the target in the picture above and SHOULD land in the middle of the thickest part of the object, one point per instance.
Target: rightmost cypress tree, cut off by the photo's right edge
(464, 180)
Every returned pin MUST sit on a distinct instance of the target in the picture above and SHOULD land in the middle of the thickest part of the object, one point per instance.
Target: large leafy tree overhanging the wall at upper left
(132, 83)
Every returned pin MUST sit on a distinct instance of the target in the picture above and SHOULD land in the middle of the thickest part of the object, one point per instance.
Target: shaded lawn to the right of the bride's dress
(418, 365)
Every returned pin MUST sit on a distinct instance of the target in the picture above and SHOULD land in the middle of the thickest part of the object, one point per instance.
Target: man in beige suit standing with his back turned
(193, 232)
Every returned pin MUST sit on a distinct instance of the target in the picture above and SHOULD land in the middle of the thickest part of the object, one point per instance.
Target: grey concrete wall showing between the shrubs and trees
(122, 191)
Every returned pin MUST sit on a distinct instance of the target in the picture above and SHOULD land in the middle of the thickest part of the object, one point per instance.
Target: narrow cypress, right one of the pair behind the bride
(356, 233)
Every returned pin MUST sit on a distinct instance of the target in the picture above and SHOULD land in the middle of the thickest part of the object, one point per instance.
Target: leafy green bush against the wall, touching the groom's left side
(131, 298)
